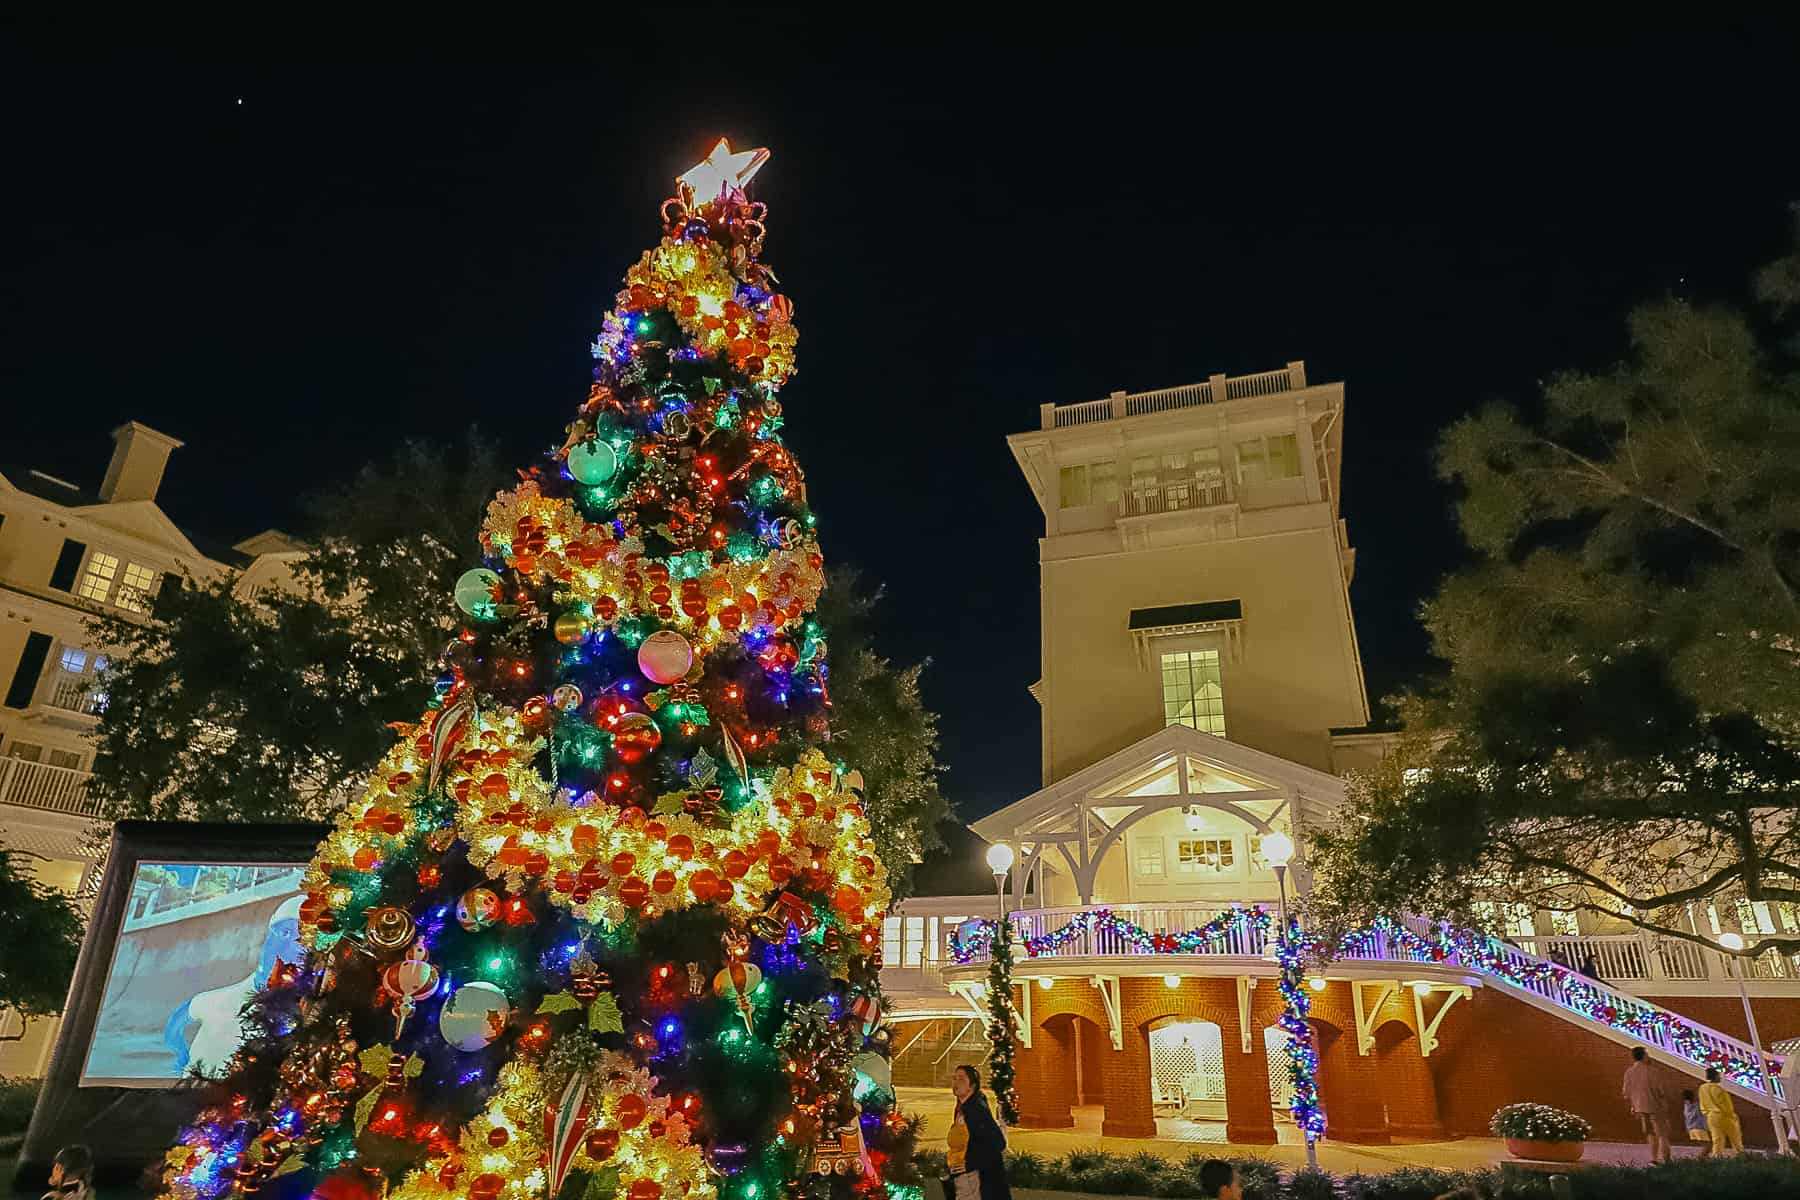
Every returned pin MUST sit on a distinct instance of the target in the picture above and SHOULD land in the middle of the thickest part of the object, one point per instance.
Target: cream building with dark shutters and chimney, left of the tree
(67, 555)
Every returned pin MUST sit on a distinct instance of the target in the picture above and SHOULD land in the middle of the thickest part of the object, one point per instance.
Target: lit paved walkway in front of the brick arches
(1178, 1140)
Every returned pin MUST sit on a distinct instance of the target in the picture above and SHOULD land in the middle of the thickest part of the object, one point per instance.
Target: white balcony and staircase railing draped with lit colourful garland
(1246, 933)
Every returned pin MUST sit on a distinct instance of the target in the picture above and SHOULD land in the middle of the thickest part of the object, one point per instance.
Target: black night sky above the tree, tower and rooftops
(296, 267)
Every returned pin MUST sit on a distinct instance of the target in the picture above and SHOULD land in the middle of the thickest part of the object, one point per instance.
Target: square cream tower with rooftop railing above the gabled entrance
(1194, 569)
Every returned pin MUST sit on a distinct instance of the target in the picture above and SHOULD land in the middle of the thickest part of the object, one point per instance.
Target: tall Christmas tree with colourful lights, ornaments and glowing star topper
(606, 922)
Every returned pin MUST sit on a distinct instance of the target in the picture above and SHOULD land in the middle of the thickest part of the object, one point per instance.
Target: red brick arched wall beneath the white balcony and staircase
(1493, 1052)
